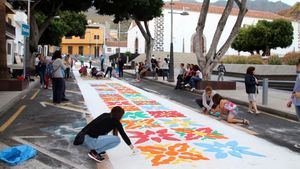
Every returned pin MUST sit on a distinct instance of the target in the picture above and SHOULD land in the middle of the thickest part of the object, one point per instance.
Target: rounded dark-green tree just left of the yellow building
(68, 23)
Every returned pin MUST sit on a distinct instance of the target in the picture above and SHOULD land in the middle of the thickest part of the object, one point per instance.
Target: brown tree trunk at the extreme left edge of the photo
(3, 58)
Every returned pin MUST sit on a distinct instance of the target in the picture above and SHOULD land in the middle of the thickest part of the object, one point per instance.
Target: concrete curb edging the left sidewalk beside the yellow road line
(12, 102)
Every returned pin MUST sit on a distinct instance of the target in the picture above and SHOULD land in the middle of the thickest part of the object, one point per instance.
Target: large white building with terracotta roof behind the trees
(185, 28)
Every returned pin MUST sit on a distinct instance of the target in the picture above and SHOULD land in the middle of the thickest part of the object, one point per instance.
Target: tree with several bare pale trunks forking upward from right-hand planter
(210, 60)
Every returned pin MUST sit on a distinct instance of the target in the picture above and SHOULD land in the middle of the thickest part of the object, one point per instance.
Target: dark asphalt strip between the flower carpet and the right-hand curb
(278, 130)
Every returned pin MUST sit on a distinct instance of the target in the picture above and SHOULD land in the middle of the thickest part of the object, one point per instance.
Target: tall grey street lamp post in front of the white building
(171, 64)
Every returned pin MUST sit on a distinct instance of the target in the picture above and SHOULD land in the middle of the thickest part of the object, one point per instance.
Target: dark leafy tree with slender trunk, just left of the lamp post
(141, 11)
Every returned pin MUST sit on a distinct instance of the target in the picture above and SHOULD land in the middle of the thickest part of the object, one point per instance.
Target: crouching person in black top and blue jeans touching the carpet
(95, 135)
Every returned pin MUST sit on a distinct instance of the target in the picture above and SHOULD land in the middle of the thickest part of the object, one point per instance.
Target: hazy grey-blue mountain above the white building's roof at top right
(259, 5)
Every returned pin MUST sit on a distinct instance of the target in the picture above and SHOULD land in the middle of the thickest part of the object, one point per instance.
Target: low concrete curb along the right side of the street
(240, 102)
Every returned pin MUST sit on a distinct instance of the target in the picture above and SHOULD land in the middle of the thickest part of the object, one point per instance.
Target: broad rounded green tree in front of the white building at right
(264, 36)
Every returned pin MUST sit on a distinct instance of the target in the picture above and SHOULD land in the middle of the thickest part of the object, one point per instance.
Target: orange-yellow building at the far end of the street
(91, 44)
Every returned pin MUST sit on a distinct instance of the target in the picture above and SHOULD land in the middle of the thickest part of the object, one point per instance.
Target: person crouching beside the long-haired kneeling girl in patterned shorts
(206, 101)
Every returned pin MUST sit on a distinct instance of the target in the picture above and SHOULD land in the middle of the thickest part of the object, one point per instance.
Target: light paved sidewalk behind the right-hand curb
(276, 101)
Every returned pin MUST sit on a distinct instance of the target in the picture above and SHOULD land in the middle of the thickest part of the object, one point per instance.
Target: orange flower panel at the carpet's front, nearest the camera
(171, 154)
